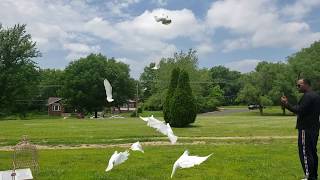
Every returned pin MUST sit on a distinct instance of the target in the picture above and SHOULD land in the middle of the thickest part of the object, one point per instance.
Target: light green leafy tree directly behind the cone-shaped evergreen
(160, 79)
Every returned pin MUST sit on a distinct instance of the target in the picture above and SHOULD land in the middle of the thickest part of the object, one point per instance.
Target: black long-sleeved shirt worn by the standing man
(307, 110)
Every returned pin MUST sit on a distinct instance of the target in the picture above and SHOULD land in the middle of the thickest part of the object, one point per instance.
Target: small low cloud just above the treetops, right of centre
(243, 66)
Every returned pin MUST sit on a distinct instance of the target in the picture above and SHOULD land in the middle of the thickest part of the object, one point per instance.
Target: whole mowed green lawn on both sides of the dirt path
(231, 159)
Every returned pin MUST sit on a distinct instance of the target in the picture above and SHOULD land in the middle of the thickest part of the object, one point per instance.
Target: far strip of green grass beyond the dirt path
(104, 131)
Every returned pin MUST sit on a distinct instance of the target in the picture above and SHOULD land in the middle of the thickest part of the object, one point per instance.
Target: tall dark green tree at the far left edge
(19, 74)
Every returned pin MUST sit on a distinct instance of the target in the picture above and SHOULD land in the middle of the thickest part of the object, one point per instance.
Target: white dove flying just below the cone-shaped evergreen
(161, 127)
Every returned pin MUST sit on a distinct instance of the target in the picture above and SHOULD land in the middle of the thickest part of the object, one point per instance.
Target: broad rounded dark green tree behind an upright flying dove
(83, 83)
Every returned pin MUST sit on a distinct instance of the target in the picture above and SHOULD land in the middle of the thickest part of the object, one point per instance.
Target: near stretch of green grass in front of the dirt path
(277, 159)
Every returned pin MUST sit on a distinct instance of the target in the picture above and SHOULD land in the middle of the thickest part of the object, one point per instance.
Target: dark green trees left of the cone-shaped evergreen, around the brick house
(24, 87)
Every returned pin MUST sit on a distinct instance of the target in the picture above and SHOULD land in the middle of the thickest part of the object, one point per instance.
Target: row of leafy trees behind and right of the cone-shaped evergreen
(218, 85)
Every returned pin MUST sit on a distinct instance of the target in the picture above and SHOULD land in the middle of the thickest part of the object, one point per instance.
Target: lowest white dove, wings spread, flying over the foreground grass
(186, 161)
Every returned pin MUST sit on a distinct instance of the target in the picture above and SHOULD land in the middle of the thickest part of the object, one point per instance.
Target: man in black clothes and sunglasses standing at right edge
(307, 111)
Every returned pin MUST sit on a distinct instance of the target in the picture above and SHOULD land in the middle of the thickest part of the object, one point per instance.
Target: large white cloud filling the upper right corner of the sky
(258, 24)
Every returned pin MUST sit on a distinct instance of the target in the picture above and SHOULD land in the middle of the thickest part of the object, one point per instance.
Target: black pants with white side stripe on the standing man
(307, 144)
